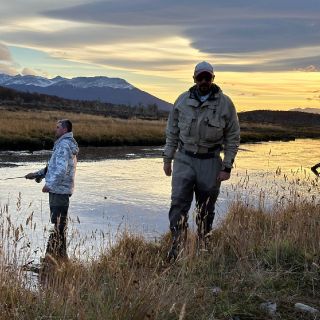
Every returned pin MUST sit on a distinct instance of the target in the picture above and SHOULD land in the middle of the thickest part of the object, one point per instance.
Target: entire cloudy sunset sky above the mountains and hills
(266, 54)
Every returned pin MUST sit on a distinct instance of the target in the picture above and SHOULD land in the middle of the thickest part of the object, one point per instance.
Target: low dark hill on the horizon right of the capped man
(284, 118)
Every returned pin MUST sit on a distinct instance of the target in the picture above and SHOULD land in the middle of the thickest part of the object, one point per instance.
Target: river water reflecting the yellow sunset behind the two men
(119, 188)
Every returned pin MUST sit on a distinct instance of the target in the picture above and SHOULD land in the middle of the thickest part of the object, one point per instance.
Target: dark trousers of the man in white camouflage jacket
(57, 243)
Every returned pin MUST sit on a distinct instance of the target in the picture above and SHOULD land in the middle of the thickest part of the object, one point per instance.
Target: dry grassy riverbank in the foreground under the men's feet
(253, 257)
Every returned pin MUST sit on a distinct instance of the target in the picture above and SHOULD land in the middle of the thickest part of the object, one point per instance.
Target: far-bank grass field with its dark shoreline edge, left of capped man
(35, 129)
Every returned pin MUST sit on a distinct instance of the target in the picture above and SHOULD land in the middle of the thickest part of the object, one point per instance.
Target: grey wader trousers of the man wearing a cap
(194, 176)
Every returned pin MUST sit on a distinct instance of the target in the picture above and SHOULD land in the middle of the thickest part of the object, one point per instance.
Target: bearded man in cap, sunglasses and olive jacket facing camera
(203, 122)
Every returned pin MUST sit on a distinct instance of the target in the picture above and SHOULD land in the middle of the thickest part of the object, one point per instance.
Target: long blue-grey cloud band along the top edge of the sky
(167, 12)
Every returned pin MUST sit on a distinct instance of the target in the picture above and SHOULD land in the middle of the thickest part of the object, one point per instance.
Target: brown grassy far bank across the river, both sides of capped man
(33, 130)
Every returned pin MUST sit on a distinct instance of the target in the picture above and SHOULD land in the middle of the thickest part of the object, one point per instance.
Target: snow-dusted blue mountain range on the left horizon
(104, 89)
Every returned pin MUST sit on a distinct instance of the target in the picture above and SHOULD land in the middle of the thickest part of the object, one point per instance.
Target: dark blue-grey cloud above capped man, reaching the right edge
(254, 35)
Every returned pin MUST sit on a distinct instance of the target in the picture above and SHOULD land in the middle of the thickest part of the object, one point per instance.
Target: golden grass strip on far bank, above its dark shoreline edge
(42, 123)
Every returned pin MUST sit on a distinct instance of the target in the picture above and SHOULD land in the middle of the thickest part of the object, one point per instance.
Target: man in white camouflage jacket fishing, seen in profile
(59, 176)
